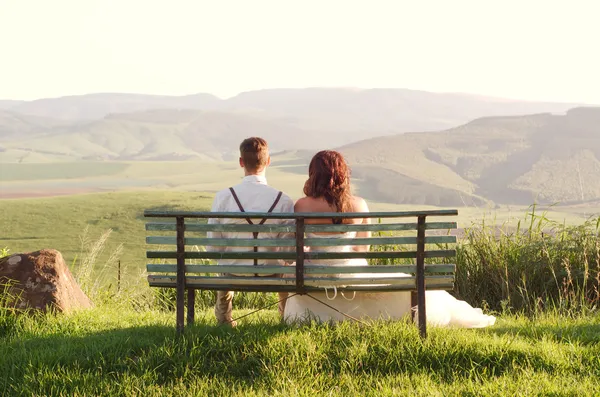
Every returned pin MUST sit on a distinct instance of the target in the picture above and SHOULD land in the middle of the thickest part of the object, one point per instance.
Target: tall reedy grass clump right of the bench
(532, 266)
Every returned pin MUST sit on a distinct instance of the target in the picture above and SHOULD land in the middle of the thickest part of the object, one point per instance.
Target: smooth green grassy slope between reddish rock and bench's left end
(66, 223)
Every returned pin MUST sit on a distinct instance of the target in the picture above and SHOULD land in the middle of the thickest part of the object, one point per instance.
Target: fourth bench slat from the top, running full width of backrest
(292, 255)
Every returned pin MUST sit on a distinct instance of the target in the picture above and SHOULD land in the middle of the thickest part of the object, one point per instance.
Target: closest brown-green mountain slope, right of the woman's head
(506, 160)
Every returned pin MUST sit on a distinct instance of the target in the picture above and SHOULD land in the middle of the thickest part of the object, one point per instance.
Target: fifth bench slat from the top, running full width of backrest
(308, 269)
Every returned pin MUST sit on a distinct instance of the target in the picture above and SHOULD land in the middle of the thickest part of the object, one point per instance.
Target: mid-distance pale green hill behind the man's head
(166, 134)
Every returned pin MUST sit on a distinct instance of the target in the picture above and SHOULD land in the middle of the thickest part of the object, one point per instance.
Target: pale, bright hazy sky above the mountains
(524, 49)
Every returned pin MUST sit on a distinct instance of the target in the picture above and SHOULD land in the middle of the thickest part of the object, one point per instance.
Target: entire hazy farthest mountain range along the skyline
(361, 114)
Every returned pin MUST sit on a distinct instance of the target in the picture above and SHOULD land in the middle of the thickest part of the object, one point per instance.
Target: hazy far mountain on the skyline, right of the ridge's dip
(372, 112)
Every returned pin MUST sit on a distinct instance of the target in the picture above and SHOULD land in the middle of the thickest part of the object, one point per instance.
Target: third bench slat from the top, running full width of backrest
(314, 242)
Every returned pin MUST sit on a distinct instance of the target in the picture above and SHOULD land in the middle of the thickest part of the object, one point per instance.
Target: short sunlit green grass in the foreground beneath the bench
(111, 350)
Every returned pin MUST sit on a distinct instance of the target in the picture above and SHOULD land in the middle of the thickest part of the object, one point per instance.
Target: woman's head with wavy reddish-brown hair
(329, 178)
